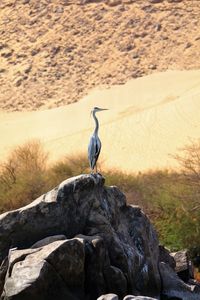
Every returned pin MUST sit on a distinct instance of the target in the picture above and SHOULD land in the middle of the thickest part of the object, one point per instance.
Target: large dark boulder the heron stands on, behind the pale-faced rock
(125, 245)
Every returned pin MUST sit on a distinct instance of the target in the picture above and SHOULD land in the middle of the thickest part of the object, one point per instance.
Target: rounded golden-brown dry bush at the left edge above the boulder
(22, 176)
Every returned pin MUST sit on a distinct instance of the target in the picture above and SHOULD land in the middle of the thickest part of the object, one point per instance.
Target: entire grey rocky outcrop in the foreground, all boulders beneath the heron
(80, 241)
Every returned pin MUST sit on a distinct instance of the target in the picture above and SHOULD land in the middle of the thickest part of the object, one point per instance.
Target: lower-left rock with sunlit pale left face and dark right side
(51, 272)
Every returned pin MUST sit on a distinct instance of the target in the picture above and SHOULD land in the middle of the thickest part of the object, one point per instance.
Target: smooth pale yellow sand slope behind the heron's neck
(148, 118)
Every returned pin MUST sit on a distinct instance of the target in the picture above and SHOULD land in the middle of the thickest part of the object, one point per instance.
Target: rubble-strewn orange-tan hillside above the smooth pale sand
(53, 52)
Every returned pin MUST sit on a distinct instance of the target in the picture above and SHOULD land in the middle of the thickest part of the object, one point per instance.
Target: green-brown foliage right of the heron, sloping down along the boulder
(163, 195)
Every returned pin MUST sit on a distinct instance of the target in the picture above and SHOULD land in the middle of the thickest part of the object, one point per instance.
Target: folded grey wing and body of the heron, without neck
(93, 151)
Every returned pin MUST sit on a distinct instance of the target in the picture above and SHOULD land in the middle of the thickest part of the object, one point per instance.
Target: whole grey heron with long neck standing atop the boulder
(94, 146)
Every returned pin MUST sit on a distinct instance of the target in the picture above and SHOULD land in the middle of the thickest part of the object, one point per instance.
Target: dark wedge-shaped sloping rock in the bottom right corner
(173, 286)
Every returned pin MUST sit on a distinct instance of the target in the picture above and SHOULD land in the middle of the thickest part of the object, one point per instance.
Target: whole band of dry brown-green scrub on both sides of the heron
(170, 199)
